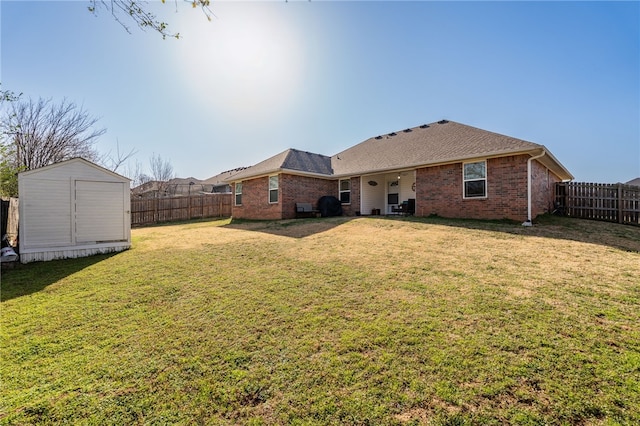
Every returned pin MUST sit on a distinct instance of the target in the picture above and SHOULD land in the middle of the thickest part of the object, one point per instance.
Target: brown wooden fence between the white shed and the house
(145, 211)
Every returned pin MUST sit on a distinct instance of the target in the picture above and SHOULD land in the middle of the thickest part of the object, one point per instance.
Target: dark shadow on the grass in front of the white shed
(25, 279)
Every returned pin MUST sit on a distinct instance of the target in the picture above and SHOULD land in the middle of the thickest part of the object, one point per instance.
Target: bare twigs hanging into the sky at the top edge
(122, 10)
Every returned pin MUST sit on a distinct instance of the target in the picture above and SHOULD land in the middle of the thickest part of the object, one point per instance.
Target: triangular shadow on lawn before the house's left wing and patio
(292, 228)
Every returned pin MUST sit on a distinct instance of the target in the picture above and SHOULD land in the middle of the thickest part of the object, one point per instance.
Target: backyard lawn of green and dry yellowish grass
(331, 321)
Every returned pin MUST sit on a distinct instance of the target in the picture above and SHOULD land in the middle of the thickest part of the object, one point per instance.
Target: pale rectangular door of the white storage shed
(100, 214)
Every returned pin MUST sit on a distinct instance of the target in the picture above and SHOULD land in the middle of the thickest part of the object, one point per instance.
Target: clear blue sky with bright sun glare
(322, 76)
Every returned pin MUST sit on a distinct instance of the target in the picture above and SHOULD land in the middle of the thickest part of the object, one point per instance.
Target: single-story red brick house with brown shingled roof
(444, 168)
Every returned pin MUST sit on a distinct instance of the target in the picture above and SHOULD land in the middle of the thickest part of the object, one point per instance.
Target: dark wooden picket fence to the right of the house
(599, 201)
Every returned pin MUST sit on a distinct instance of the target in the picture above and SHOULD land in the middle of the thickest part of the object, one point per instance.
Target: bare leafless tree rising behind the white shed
(45, 133)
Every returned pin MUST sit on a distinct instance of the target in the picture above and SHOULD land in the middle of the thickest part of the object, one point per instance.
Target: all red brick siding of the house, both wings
(438, 191)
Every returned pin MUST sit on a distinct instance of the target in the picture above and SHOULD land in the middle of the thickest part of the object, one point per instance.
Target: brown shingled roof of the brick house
(430, 144)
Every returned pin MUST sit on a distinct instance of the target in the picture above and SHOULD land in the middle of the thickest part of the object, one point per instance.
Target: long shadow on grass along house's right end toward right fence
(622, 237)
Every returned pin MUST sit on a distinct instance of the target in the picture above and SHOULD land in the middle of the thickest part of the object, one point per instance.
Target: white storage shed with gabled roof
(70, 209)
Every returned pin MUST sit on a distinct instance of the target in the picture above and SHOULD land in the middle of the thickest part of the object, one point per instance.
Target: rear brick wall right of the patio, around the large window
(439, 191)
